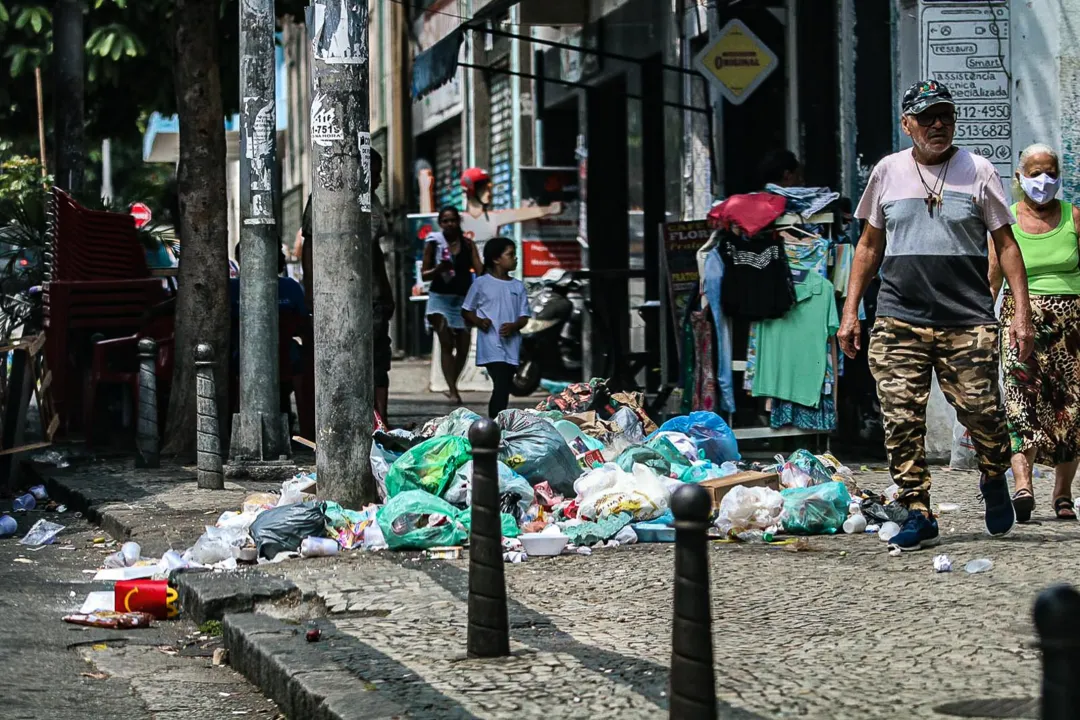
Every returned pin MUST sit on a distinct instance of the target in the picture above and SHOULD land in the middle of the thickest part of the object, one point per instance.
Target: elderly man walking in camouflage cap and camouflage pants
(928, 212)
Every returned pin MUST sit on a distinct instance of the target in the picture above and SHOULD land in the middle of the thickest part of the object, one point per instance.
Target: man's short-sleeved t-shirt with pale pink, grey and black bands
(936, 265)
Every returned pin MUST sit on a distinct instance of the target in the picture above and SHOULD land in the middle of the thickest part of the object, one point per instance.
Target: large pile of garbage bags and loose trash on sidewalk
(586, 464)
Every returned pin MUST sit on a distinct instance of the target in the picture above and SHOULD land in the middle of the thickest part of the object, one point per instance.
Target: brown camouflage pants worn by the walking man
(966, 359)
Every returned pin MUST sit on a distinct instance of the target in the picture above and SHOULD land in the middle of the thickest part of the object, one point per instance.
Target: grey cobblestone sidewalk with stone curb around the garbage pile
(841, 631)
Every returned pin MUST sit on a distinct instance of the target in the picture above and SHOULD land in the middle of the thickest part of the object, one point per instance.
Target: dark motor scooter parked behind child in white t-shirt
(551, 342)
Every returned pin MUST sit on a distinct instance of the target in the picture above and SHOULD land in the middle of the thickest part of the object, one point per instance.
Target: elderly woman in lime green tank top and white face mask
(1043, 395)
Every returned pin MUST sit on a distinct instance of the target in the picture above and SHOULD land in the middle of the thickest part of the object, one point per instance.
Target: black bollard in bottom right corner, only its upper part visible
(1058, 621)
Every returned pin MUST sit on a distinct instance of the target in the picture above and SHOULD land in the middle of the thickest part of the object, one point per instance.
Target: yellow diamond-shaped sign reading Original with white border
(737, 62)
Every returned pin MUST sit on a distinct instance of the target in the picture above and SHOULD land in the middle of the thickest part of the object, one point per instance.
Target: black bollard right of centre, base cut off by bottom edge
(693, 685)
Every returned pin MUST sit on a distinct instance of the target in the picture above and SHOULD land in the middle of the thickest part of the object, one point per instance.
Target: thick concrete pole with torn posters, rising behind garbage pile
(342, 252)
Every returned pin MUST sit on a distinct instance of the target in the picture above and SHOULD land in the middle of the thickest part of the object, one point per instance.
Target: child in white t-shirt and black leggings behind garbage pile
(498, 306)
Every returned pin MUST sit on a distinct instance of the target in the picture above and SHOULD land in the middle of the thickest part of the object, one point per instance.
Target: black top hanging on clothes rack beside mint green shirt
(758, 281)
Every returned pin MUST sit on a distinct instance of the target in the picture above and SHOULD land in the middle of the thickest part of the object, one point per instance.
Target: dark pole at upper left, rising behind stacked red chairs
(69, 93)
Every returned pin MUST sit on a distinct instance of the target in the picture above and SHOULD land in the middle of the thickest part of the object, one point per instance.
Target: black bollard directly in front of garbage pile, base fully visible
(489, 627)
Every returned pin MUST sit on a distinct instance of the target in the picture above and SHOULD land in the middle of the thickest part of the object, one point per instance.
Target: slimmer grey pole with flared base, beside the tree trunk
(260, 432)
